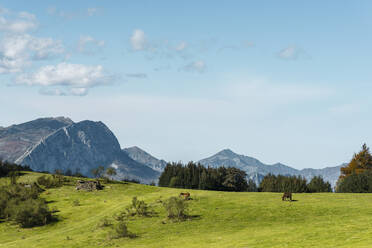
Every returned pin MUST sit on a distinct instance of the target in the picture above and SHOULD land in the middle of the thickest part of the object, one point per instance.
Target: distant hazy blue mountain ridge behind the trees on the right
(256, 169)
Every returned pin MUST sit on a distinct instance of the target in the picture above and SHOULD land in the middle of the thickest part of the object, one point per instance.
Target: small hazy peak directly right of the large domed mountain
(145, 158)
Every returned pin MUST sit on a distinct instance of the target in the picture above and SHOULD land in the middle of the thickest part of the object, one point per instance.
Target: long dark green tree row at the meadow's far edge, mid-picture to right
(196, 176)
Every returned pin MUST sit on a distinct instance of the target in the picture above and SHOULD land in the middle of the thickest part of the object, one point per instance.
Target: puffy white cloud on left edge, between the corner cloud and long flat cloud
(17, 50)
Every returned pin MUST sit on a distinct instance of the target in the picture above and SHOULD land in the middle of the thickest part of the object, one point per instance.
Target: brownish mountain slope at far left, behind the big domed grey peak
(17, 139)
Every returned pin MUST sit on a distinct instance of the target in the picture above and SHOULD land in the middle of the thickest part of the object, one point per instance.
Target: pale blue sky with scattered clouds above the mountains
(281, 81)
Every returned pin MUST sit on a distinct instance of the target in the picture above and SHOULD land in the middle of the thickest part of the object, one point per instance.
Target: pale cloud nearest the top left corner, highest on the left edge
(17, 22)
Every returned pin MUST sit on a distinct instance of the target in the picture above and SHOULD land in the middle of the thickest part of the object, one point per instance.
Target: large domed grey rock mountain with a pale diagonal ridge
(82, 147)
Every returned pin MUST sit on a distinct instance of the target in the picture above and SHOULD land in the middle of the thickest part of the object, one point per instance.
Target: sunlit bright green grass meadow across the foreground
(226, 220)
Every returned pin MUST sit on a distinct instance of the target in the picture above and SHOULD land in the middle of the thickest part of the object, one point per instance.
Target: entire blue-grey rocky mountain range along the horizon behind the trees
(47, 144)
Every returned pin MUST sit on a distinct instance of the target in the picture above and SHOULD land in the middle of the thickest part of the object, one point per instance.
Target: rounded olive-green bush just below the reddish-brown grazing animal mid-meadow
(176, 208)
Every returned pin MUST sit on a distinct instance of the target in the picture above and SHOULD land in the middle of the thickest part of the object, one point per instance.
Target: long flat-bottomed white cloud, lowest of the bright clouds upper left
(69, 75)
